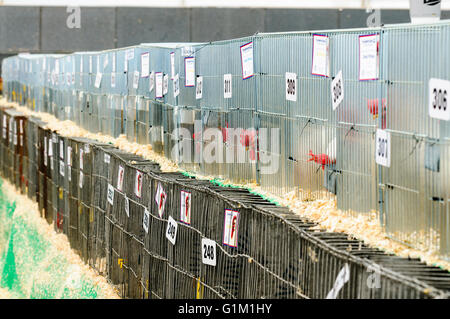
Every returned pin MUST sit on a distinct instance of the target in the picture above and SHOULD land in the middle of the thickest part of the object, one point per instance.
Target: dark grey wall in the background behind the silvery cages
(43, 29)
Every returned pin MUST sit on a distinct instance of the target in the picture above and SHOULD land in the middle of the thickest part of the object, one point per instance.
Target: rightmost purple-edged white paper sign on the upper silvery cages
(368, 57)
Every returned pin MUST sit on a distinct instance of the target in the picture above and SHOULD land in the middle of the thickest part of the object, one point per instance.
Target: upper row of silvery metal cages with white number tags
(298, 112)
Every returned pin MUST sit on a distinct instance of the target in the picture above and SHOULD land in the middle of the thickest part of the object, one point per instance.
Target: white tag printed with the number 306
(438, 99)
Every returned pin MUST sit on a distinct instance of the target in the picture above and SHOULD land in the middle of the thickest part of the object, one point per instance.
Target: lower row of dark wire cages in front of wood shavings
(108, 204)
